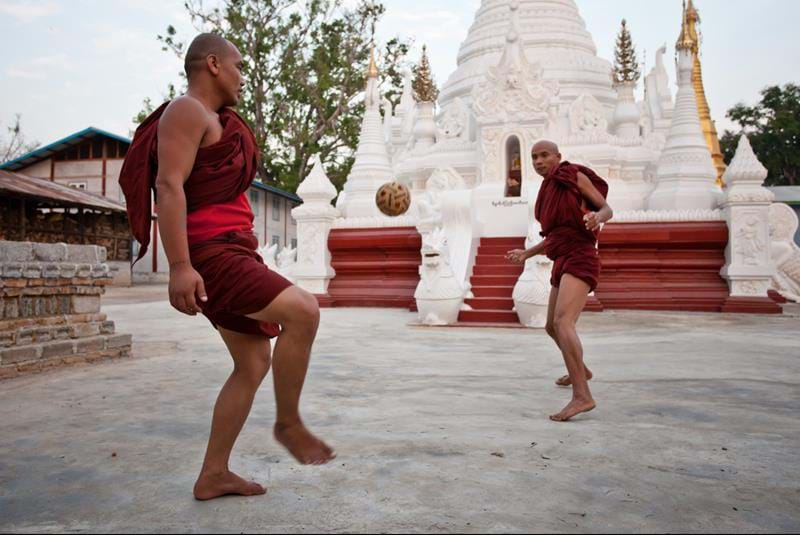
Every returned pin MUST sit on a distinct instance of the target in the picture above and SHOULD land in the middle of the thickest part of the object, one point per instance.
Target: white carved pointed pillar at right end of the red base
(748, 267)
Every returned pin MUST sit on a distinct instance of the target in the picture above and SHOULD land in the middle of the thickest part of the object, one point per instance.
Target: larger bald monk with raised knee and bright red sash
(200, 157)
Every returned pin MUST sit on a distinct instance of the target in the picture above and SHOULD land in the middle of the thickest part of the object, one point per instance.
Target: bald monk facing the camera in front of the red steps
(570, 207)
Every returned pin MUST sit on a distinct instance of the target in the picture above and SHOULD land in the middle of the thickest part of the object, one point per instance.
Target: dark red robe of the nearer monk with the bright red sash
(237, 281)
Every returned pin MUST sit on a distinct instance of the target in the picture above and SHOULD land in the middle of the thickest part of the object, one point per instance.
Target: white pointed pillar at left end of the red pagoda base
(314, 218)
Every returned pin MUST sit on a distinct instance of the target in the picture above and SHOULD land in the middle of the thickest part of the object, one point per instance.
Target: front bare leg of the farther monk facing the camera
(572, 296)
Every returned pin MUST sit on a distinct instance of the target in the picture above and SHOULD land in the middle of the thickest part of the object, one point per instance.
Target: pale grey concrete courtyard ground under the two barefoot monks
(437, 430)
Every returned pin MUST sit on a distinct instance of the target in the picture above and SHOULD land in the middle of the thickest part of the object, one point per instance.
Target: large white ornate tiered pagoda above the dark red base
(528, 70)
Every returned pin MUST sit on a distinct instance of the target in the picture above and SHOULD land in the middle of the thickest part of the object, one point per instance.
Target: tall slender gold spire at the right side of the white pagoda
(690, 40)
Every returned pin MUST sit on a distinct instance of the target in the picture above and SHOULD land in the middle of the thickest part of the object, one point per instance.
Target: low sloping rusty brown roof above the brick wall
(15, 184)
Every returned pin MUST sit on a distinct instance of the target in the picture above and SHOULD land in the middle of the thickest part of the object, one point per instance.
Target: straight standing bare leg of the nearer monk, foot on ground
(251, 360)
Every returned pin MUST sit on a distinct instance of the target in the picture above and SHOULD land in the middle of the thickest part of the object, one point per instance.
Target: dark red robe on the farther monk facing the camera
(559, 209)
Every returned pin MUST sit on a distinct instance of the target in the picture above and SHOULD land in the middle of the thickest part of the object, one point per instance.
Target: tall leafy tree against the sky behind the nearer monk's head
(304, 65)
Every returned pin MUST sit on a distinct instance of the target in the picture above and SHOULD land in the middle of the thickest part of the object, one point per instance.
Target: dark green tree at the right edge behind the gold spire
(773, 126)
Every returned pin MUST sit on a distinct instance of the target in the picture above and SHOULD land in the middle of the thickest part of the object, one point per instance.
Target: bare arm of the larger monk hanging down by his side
(180, 132)
